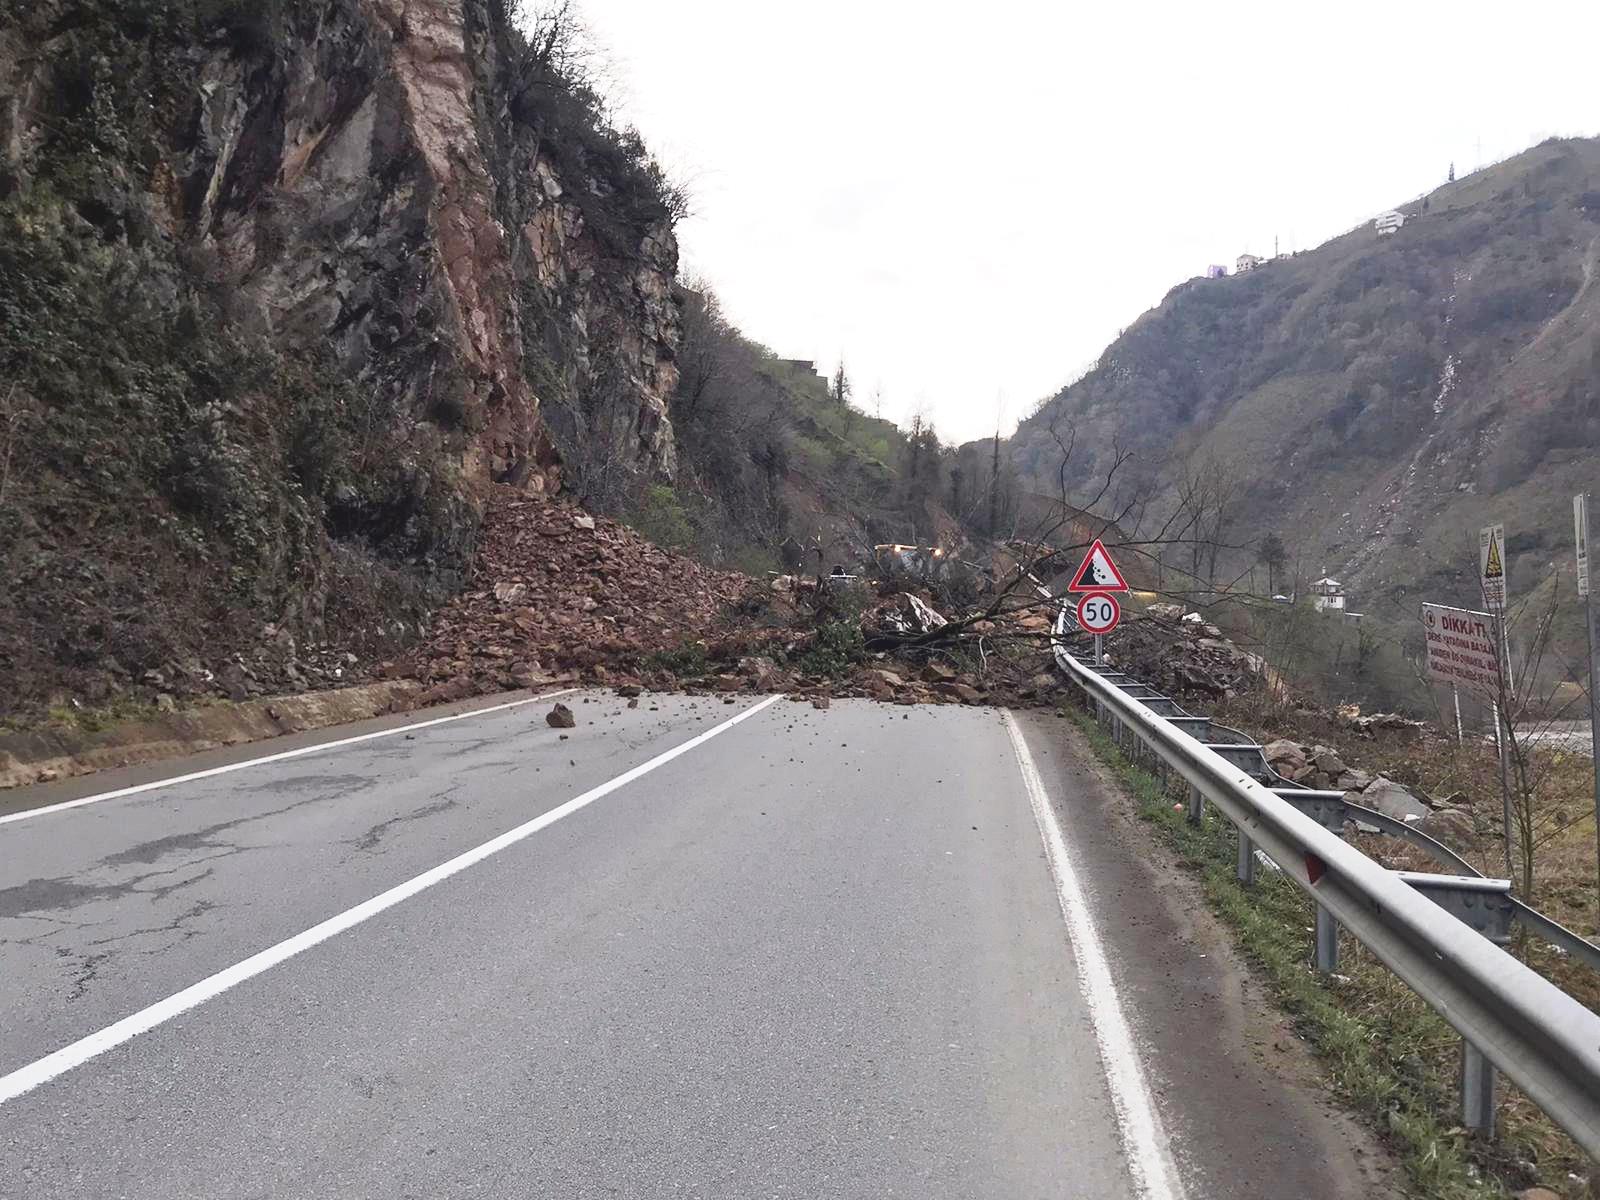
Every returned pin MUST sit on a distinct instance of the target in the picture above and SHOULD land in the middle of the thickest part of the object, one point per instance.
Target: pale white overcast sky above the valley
(969, 202)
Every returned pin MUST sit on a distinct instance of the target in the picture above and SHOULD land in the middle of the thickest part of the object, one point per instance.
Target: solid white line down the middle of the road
(81, 1052)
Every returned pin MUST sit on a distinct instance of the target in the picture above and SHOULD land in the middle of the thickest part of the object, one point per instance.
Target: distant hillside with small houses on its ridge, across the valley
(1378, 398)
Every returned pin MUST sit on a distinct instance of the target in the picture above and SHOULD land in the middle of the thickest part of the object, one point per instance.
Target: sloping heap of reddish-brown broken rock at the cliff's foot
(559, 593)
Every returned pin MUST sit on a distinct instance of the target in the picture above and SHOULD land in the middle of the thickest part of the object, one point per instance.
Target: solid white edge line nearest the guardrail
(1145, 1143)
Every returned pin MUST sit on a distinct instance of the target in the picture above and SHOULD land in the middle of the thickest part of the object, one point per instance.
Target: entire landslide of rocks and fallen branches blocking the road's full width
(559, 594)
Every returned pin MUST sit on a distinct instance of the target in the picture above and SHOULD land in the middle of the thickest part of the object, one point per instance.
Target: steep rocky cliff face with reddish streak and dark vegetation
(284, 287)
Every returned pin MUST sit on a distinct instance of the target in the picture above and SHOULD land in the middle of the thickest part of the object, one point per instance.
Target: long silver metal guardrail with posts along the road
(1510, 1017)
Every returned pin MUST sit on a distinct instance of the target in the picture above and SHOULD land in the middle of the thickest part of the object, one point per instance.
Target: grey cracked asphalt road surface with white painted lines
(804, 954)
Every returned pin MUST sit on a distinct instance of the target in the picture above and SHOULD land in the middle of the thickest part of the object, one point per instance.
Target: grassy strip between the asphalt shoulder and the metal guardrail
(1385, 1052)
